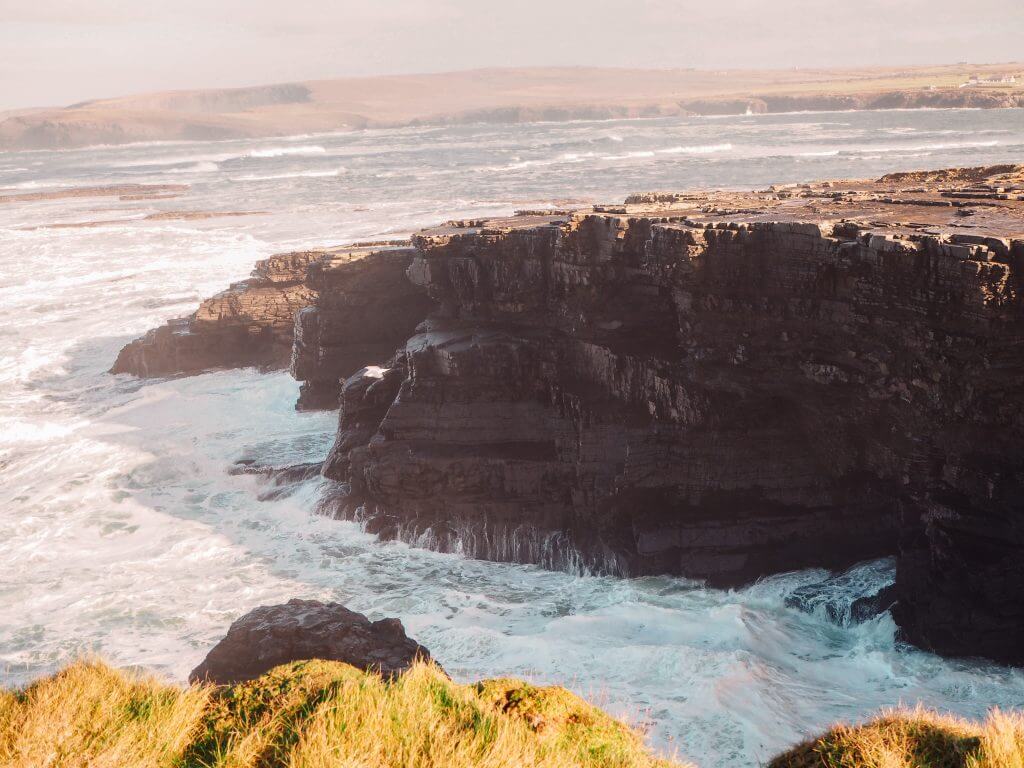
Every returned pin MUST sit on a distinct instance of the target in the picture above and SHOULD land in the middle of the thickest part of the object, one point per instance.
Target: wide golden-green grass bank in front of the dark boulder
(309, 715)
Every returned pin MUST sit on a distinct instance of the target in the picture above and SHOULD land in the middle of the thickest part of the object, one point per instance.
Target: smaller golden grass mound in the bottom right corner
(915, 739)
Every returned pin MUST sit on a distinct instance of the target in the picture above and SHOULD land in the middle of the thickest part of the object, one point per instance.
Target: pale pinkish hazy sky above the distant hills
(60, 52)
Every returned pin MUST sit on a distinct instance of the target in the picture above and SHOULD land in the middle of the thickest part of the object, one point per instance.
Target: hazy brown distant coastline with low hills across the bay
(497, 96)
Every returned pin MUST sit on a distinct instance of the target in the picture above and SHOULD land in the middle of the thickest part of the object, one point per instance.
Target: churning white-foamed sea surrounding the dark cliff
(122, 532)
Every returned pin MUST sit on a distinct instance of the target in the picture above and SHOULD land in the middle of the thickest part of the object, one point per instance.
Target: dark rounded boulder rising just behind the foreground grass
(301, 630)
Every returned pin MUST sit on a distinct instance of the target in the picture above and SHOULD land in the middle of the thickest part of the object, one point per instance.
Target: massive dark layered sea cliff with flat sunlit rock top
(720, 385)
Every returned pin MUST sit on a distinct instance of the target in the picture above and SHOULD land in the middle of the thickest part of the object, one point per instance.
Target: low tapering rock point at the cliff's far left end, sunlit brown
(324, 314)
